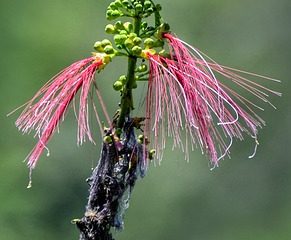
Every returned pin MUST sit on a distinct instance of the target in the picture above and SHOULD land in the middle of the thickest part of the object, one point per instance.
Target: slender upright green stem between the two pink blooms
(126, 103)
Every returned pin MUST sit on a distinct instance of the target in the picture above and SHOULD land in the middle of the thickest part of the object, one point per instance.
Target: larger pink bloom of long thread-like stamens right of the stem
(186, 93)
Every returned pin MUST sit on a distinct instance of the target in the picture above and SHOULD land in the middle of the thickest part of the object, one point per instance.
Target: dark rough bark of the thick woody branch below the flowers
(111, 183)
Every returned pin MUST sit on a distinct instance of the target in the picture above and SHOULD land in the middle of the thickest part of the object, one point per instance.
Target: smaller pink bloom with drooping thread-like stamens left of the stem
(47, 108)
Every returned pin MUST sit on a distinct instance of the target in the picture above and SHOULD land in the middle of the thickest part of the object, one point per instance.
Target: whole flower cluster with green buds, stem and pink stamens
(187, 91)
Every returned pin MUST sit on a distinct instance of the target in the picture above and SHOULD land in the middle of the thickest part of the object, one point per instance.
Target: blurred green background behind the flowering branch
(242, 199)
